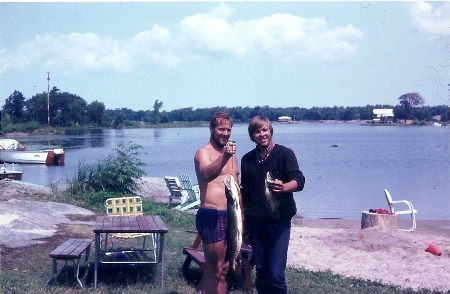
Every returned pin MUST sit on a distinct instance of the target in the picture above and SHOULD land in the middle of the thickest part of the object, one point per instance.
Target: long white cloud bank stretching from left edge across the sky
(283, 37)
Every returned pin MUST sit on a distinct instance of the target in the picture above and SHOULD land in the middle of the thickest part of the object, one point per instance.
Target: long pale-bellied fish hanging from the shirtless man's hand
(234, 230)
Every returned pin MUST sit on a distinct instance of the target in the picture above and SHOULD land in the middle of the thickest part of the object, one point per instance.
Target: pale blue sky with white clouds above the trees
(208, 54)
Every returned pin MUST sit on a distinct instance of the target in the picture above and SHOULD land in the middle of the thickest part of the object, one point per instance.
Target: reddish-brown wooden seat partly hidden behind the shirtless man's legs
(243, 267)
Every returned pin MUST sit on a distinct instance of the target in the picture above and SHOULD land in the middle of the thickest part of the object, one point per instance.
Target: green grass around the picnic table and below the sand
(26, 270)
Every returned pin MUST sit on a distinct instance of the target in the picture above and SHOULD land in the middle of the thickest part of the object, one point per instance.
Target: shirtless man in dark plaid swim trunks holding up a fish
(213, 163)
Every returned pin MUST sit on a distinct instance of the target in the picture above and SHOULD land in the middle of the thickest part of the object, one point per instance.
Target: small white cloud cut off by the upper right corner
(431, 20)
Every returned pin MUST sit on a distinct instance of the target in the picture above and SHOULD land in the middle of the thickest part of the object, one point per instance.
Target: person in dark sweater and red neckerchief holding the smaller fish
(269, 176)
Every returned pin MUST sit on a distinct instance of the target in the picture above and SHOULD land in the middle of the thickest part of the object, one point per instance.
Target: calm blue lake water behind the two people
(413, 163)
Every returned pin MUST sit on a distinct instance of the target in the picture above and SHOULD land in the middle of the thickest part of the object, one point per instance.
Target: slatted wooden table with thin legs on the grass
(140, 224)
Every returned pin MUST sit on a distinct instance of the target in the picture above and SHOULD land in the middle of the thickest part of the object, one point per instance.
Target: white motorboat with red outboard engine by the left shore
(11, 151)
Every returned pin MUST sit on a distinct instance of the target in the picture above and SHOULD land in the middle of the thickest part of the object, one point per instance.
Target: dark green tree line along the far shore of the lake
(68, 110)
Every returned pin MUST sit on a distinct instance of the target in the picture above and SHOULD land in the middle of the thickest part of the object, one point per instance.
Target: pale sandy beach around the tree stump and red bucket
(385, 255)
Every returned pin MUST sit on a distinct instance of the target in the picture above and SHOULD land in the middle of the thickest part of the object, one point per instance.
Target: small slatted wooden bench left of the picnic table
(72, 250)
